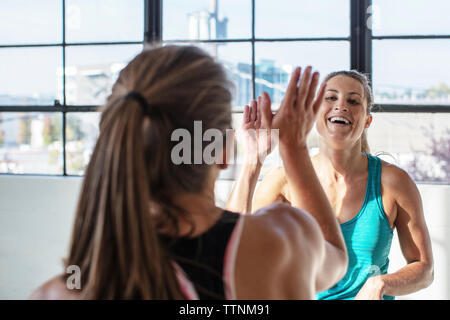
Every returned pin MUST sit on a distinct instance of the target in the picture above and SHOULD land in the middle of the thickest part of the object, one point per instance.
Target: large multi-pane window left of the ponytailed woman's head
(58, 62)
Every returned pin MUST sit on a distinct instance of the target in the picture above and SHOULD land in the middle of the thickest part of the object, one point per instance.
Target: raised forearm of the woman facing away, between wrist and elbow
(307, 193)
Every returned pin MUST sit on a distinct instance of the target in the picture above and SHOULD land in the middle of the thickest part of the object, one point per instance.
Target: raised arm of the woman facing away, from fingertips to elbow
(296, 118)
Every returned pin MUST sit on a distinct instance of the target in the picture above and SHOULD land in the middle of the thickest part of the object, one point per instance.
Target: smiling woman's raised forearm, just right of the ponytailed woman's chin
(241, 196)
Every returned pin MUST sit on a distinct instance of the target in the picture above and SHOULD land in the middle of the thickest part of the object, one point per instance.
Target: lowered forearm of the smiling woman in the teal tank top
(411, 278)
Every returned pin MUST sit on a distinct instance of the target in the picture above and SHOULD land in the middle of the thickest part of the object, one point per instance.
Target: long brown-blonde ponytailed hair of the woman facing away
(130, 181)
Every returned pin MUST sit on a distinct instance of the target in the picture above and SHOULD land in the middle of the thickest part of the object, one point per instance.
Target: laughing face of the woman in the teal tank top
(343, 114)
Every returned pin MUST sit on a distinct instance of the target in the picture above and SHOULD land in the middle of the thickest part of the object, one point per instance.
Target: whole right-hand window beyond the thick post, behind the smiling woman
(411, 73)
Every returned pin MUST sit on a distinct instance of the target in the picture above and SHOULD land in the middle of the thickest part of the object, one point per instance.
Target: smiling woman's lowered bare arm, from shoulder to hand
(414, 241)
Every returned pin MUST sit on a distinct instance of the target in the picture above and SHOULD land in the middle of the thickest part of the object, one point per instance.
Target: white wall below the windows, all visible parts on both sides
(36, 216)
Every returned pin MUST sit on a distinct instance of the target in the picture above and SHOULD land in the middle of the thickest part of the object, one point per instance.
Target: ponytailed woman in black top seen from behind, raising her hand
(147, 226)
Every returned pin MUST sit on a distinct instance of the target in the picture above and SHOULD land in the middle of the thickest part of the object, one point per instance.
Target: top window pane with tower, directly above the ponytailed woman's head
(206, 19)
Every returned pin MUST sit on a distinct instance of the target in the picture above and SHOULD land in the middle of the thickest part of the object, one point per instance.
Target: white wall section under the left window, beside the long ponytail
(35, 226)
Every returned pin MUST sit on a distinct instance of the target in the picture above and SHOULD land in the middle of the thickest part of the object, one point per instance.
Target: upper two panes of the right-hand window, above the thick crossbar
(410, 53)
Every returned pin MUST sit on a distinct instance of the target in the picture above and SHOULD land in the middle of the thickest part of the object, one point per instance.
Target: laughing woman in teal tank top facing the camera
(370, 197)
